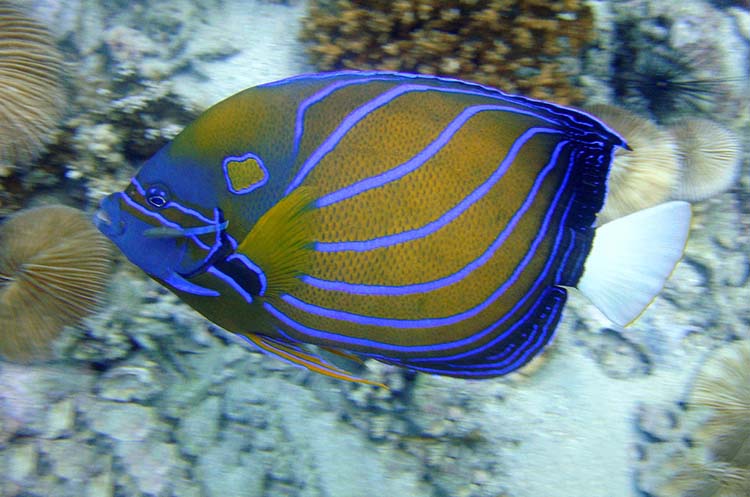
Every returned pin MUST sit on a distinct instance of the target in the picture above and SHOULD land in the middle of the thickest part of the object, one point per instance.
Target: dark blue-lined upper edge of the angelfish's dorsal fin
(565, 114)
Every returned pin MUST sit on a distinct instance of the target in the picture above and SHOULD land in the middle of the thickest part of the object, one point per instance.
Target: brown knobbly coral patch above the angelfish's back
(526, 46)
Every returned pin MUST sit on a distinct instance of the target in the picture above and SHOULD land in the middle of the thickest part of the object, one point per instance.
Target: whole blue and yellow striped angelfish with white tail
(424, 222)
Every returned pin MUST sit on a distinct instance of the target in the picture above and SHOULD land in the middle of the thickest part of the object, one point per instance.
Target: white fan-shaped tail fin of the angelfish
(631, 259)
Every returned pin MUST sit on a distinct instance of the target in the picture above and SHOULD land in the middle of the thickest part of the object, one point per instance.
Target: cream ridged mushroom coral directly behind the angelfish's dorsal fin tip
(644, 176)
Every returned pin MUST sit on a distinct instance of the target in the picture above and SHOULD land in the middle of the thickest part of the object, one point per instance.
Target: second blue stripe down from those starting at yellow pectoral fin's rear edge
(446, 218)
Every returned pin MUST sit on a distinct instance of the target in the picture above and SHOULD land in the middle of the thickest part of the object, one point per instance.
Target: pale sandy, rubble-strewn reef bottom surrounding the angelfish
(148, 399)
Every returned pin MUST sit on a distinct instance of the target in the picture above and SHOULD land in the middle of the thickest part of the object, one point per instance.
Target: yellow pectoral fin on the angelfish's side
(281, 240)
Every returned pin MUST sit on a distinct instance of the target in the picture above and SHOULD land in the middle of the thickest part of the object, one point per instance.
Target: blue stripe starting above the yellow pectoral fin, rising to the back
(330, 143)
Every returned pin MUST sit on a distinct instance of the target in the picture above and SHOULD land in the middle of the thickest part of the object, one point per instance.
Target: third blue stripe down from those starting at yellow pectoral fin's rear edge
(364, 289)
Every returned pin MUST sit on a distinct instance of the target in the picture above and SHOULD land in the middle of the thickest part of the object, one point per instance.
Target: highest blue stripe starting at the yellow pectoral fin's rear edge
(415, 162)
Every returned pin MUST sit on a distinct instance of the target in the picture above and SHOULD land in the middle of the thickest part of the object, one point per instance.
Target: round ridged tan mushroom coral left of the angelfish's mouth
(54, 266)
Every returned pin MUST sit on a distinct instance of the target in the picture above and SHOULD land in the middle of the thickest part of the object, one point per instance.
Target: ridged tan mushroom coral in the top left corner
(31, 94)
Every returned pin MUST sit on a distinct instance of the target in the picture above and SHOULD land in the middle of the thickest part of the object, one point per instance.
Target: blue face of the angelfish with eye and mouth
(169, 221)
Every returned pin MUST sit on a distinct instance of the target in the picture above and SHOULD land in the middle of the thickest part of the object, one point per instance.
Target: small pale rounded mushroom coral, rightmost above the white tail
(710, 155)
